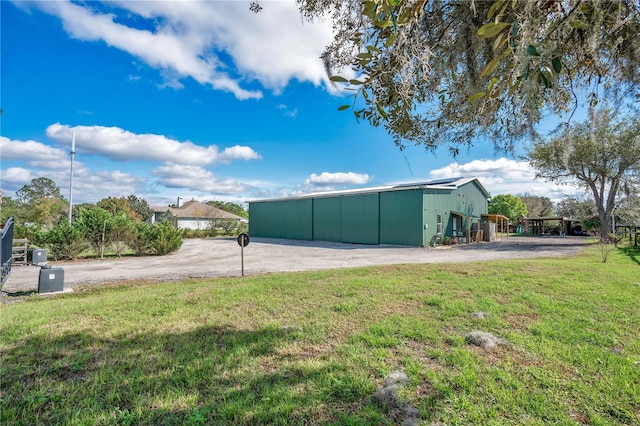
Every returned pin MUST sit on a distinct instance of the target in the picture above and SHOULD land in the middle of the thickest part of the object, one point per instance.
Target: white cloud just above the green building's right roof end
(507, 176)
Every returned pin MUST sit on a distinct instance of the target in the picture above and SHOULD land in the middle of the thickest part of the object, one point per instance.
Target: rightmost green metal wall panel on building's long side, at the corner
(401, 218)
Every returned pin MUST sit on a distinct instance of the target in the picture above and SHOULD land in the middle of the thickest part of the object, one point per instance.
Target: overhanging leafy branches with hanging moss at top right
(443, 72)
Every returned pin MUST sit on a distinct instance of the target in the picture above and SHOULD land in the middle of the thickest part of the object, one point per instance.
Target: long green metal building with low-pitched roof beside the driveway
(417, 214)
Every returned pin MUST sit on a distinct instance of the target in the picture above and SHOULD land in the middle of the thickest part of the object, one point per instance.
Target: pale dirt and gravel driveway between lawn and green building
(203, 258)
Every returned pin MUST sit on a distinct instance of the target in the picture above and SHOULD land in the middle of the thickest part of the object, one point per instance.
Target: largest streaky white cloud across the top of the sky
(190, 39)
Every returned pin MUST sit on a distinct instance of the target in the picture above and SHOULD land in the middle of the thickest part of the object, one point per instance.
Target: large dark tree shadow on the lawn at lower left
(211, 375)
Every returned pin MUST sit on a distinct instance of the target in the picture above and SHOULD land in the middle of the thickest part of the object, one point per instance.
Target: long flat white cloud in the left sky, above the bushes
(121, 145)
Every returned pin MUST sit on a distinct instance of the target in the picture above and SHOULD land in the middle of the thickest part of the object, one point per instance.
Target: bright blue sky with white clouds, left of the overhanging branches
(199, 100)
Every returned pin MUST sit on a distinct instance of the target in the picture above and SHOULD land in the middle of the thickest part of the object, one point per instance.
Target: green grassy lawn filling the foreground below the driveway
(325, 347)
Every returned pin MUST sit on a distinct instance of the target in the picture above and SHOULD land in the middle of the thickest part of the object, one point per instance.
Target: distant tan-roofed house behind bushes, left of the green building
(196, 215)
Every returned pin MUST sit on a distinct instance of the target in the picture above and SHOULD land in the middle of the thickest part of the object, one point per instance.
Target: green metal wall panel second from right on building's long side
(360, 221)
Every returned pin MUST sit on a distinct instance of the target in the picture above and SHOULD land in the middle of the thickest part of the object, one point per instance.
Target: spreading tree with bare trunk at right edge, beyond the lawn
(601, 154)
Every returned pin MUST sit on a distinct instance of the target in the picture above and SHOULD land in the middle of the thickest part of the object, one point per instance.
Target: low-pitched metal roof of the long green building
(444, 184)
